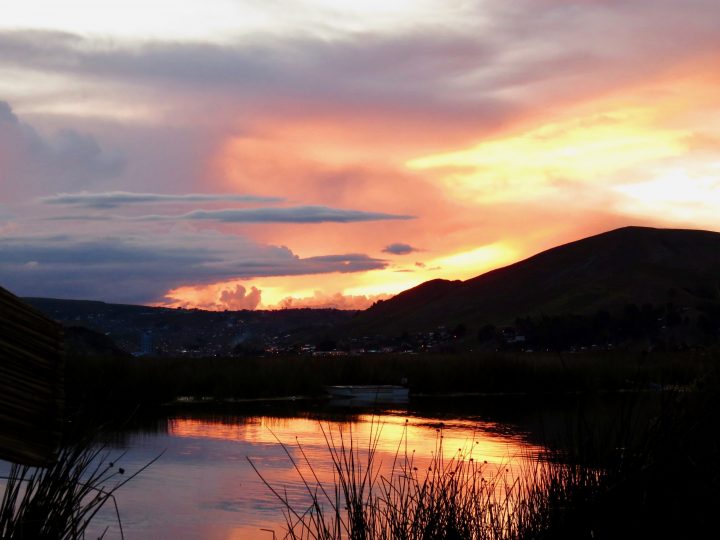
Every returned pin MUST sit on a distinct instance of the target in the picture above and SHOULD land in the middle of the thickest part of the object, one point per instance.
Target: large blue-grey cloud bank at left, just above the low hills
(134, 269)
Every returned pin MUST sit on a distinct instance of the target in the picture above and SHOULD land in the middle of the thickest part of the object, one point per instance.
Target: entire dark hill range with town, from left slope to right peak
(653, 287)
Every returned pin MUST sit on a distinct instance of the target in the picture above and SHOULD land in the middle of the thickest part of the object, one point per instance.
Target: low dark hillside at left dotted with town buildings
(98, 328)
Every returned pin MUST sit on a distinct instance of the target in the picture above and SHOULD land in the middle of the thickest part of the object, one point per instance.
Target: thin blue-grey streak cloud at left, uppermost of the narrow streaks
(113, 199)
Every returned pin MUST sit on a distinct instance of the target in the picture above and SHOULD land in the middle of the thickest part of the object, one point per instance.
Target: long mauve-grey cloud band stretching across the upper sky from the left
(419, 72)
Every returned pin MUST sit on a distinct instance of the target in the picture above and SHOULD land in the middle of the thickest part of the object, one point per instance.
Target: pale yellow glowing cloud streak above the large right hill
(528, 165)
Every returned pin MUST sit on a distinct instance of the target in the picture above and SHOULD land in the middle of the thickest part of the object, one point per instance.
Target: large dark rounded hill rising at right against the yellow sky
(631, 265)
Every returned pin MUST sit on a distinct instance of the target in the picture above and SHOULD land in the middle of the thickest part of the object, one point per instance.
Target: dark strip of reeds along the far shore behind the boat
(129, 381)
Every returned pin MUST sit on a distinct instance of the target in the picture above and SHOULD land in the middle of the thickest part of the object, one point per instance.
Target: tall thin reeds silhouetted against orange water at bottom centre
(440, 498)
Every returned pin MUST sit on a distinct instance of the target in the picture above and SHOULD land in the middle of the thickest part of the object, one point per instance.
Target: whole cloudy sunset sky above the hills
(241, 154)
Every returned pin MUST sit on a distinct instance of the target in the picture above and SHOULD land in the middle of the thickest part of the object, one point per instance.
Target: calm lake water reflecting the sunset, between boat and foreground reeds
(204, 487)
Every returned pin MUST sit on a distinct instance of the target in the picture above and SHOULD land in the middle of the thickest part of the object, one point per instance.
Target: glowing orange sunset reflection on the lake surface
(287, 450)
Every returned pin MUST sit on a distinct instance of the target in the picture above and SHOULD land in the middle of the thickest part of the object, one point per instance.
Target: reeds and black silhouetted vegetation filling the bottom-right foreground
(628, 480)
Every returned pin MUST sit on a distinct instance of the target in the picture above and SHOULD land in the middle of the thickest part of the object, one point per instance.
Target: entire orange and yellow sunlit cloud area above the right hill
(593, 164)
